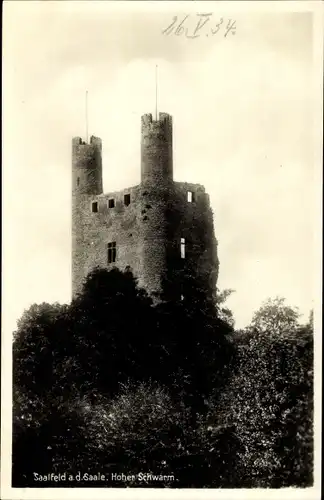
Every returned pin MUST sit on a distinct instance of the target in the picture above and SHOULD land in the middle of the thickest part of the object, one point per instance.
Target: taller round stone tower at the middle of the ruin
(156, 190)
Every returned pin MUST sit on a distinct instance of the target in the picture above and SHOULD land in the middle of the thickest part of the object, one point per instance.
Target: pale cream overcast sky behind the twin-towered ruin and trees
(243, 126)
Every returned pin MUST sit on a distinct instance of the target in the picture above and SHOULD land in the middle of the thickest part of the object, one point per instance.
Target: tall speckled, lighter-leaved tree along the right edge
(269, 401)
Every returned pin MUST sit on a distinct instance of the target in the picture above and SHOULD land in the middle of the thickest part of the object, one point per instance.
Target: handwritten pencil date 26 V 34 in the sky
(202, 25)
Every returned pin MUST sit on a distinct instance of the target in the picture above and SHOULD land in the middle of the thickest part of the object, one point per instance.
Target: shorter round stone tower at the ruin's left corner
(86, 183)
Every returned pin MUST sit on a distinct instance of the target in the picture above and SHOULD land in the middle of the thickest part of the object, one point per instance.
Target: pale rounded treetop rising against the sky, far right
(274, 317)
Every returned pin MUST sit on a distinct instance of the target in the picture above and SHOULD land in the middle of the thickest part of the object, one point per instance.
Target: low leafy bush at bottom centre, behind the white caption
(144, 429)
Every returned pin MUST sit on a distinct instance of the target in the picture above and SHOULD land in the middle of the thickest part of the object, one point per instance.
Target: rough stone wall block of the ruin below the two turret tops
(150, 248)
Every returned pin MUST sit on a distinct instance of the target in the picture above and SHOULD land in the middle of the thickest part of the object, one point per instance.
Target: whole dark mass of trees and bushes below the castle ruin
(115, 384)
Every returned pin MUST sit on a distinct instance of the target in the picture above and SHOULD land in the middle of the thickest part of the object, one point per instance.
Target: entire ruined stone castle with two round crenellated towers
(158, 228)
